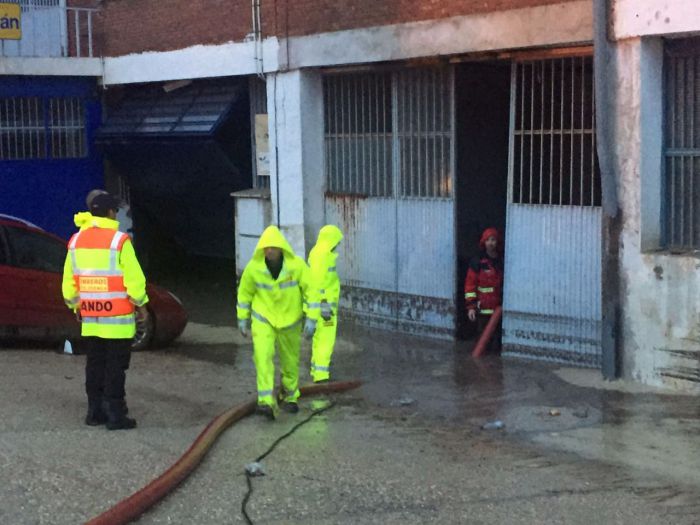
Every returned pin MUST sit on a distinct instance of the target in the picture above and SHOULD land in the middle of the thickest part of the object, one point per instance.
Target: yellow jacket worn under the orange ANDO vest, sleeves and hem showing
(114, 327)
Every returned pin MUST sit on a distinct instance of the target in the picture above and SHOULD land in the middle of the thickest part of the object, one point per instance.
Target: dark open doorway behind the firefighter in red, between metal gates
(482, 105)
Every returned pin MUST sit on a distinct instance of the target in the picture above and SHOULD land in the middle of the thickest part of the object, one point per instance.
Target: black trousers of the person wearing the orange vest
(106, 366)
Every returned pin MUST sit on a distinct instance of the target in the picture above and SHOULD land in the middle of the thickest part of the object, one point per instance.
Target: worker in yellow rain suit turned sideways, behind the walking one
(324, 276)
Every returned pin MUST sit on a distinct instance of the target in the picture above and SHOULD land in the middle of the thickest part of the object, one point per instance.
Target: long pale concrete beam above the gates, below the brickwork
(549, 25)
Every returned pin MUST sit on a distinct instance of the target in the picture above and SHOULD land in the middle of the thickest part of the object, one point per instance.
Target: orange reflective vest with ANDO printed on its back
(101, 289)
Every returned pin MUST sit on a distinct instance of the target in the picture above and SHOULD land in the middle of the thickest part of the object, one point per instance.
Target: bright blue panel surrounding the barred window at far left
(49, 192)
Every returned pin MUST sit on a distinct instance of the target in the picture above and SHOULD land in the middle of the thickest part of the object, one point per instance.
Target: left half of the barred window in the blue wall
(22, 128)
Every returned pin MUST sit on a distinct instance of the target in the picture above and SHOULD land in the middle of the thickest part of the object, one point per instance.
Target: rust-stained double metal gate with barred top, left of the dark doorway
(389, 161)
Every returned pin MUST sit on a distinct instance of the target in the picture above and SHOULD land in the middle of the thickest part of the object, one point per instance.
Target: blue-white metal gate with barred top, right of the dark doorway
(552, 298)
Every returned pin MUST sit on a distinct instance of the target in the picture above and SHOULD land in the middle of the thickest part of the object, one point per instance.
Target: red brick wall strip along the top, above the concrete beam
(132, 26)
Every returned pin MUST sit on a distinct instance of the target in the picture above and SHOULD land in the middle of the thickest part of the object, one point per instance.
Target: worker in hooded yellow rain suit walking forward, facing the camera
(273, 288)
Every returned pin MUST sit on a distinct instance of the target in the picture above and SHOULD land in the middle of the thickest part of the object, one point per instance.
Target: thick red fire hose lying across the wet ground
(140, 501)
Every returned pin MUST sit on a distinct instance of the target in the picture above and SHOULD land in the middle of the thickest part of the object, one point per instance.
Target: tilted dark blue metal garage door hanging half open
(196, 110)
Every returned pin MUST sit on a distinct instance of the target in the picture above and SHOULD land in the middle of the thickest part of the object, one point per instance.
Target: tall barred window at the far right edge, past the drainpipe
(682, 144)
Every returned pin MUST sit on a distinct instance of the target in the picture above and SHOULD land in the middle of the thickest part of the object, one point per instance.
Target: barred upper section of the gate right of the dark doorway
(554, 151)
